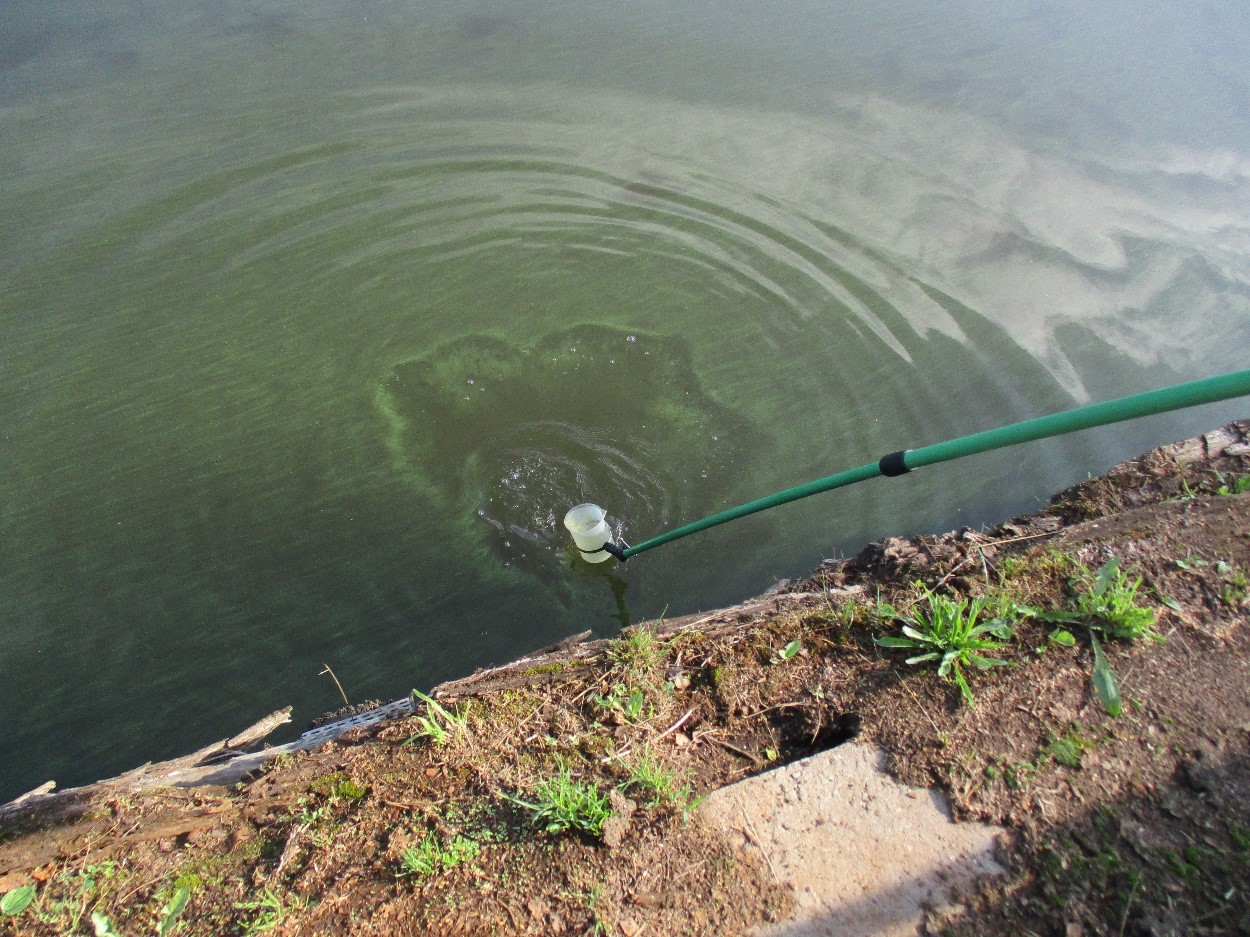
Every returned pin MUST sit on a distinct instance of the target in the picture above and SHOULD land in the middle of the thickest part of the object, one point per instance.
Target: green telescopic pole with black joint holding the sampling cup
(1208, 390)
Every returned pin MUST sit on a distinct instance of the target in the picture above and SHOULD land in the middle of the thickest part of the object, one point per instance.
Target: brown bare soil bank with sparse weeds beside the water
(1131, 825)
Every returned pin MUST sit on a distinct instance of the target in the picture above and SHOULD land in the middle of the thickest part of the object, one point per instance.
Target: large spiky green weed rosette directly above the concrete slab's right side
(951, 634)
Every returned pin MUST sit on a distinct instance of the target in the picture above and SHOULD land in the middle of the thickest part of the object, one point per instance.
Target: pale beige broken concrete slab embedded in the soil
(866, 855)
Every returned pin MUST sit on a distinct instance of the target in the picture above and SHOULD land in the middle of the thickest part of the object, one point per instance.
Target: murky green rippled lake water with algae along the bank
(316, 318)
